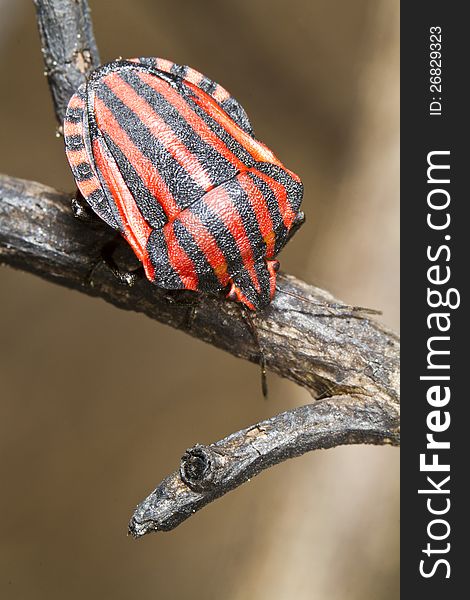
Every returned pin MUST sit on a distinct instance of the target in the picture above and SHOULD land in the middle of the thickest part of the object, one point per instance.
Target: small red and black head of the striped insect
(255, 284)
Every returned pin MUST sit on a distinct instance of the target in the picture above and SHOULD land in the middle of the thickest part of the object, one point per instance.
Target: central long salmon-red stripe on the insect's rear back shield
(162, 132)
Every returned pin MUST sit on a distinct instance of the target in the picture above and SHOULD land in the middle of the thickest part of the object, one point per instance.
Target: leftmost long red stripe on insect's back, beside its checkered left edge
(136, 229)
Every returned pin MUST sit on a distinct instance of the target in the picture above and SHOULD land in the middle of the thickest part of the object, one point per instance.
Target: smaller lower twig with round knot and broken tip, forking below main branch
(208, 472)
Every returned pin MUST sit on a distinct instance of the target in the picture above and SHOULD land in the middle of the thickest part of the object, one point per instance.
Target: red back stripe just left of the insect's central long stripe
(142, 165)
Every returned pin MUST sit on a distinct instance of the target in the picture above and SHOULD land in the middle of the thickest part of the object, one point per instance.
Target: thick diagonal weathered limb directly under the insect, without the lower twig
(325, 348)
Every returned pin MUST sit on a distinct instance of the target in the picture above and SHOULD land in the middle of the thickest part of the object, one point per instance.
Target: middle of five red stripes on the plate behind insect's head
(221, 204)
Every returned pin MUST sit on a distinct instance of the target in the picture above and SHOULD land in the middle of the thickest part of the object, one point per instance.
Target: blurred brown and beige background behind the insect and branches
(97, 405)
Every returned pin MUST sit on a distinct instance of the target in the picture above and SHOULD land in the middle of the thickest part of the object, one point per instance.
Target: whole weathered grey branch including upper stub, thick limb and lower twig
(347, 361)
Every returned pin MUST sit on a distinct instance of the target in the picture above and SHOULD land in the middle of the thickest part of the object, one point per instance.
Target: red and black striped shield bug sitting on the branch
(168, 158)
